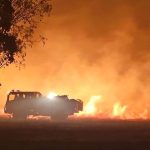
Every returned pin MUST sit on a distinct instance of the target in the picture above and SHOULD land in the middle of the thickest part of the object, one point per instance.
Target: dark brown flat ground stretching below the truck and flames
(74, 135)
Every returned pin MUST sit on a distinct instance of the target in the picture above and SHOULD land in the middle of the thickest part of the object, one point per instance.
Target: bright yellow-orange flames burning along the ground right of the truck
(94, 108)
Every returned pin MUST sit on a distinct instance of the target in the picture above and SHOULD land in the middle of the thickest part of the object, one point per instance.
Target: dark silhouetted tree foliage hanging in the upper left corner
(18, 21)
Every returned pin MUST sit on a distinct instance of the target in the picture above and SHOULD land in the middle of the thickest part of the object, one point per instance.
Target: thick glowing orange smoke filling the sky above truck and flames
(94, 47)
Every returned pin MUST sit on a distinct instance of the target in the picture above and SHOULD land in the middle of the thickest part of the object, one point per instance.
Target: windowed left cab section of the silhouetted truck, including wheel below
(21, 104)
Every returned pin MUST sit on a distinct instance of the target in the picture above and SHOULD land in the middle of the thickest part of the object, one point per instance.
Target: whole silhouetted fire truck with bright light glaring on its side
(21, 104)
